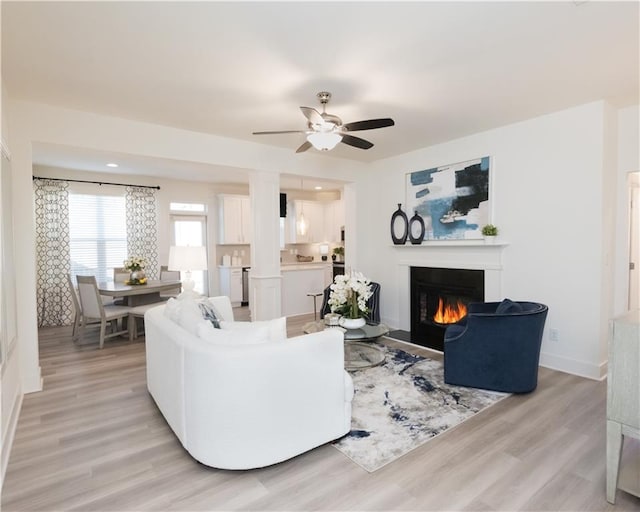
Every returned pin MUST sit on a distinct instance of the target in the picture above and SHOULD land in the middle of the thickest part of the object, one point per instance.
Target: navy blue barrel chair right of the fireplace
(496, 346)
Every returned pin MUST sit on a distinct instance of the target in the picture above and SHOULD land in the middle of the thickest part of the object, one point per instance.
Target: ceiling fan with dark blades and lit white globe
(325, 131)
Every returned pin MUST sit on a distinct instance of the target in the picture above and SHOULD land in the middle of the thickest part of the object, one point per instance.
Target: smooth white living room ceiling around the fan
(441, 70)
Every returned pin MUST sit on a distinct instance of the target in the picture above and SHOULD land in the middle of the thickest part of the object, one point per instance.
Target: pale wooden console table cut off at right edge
(623, 403)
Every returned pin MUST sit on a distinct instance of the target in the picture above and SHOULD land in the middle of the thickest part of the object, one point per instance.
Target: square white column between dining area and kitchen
(265, 281)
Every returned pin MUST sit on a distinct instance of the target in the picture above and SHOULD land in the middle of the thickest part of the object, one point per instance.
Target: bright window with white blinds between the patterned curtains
(98, 234)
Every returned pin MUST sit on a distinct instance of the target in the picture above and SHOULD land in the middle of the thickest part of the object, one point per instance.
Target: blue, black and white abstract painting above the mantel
(453, 199)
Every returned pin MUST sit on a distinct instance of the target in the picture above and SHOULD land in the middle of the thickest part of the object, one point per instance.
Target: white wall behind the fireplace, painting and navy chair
(548, 202)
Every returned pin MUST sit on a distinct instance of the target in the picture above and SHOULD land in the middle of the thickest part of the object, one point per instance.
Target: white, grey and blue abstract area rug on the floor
(402, 404)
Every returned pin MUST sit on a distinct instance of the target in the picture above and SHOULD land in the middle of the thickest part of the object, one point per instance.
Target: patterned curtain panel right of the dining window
(142, 227)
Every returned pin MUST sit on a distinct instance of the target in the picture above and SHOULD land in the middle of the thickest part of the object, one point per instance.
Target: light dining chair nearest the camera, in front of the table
(94, 310)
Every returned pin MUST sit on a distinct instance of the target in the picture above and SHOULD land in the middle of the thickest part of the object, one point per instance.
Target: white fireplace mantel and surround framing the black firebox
(471, 255)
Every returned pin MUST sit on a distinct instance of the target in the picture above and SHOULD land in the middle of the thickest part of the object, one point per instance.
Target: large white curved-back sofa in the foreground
(248, 405)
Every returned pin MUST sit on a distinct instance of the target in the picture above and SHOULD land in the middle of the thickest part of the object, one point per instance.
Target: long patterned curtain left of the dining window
(52, 253)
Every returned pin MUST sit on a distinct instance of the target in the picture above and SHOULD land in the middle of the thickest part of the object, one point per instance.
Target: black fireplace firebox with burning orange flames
(439, 297)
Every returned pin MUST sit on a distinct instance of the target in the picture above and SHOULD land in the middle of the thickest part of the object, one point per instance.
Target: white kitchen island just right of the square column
(299, 279)
